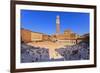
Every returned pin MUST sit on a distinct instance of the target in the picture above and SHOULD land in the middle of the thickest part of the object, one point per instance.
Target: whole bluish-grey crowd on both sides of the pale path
(36, 54)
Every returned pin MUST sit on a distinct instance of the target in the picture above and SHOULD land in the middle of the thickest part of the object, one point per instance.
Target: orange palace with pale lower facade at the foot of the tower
(67, 37)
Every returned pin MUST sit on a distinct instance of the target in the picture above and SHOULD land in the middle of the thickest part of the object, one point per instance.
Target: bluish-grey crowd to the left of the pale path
(33, 54)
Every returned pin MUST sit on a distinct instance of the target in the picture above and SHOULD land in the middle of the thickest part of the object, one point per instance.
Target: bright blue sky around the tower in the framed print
(45, 21)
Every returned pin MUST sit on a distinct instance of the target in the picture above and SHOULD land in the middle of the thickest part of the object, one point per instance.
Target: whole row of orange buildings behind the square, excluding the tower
(67, 37)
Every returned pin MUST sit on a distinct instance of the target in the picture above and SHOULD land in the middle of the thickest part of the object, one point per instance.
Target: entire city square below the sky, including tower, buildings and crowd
(39, 47)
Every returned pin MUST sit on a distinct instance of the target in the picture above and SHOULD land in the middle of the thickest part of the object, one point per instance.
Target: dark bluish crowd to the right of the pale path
(76, 52)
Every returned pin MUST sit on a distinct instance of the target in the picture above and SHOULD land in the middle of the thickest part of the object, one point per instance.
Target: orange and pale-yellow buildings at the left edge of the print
(28, 36)
